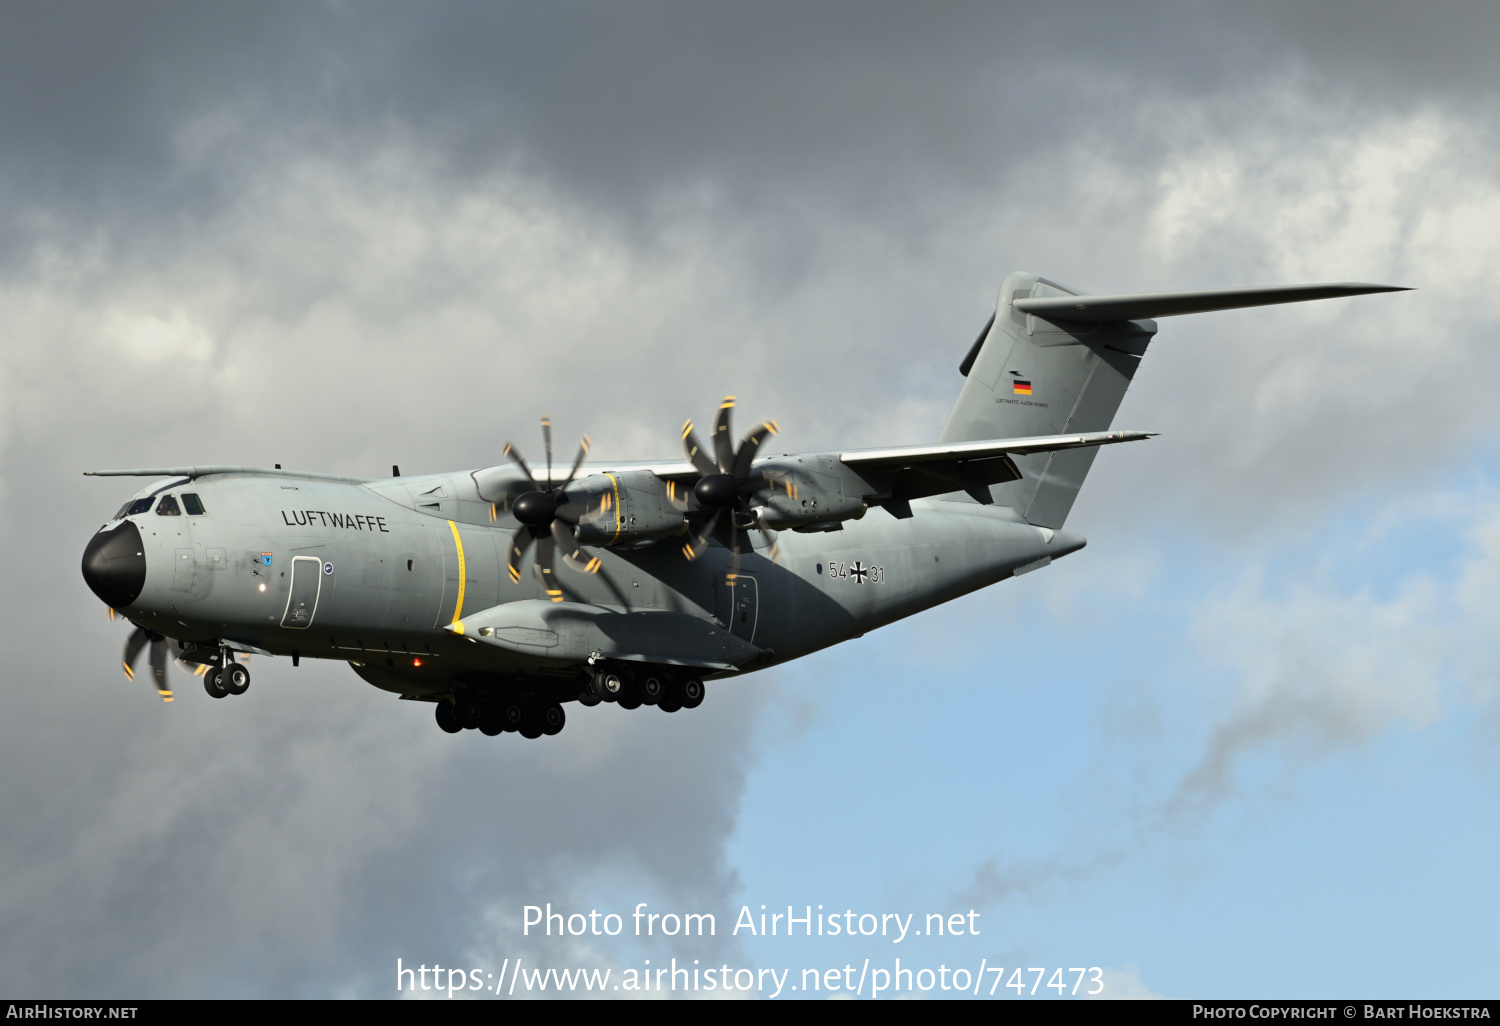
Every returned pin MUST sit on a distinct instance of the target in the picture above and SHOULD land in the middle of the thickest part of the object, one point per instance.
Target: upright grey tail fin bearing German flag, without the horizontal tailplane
(1030, 376)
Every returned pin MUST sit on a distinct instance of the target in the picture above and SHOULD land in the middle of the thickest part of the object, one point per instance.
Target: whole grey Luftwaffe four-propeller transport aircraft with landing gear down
(505, 593)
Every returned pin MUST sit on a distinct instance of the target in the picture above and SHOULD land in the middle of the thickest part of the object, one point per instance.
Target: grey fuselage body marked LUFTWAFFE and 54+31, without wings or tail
(377, 575)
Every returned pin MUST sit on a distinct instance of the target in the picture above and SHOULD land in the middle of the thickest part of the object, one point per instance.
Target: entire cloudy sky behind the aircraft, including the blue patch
(1241, 746)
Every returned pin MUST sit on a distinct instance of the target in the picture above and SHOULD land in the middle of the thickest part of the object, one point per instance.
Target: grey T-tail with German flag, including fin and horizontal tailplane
(1054, 361)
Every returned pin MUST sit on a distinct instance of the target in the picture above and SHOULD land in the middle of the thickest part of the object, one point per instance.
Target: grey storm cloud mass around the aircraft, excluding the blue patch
(347, 236)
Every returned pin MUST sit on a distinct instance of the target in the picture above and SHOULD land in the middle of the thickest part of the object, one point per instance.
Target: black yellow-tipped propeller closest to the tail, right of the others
(725, 490)
